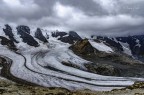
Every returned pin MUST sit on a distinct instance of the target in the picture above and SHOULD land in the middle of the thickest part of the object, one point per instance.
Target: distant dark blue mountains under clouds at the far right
(136, 43)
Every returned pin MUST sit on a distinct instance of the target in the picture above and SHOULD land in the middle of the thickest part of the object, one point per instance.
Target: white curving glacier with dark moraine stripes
(43, 66)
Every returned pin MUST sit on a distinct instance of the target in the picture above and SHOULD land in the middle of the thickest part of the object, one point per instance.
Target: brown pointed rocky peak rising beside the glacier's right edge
(83, 47)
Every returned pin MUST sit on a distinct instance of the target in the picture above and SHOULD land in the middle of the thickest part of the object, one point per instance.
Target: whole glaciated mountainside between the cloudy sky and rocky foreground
(64, 59)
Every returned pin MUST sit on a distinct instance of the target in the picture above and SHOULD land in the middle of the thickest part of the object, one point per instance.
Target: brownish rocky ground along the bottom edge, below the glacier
(11, 88)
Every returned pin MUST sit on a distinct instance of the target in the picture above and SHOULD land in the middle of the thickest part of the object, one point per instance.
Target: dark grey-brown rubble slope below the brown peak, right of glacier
(119, 65)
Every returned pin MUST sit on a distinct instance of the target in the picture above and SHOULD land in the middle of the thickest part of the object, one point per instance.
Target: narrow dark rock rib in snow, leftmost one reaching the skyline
(8, 32)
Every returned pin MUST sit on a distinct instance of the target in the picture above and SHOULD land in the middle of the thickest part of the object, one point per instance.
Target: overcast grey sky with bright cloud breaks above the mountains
(104, 17)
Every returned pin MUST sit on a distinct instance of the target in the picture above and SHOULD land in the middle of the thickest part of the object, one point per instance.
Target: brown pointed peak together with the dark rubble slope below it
(110, 64)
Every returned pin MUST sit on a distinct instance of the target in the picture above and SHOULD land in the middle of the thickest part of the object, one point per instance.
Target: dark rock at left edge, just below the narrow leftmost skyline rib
(7, 42)
